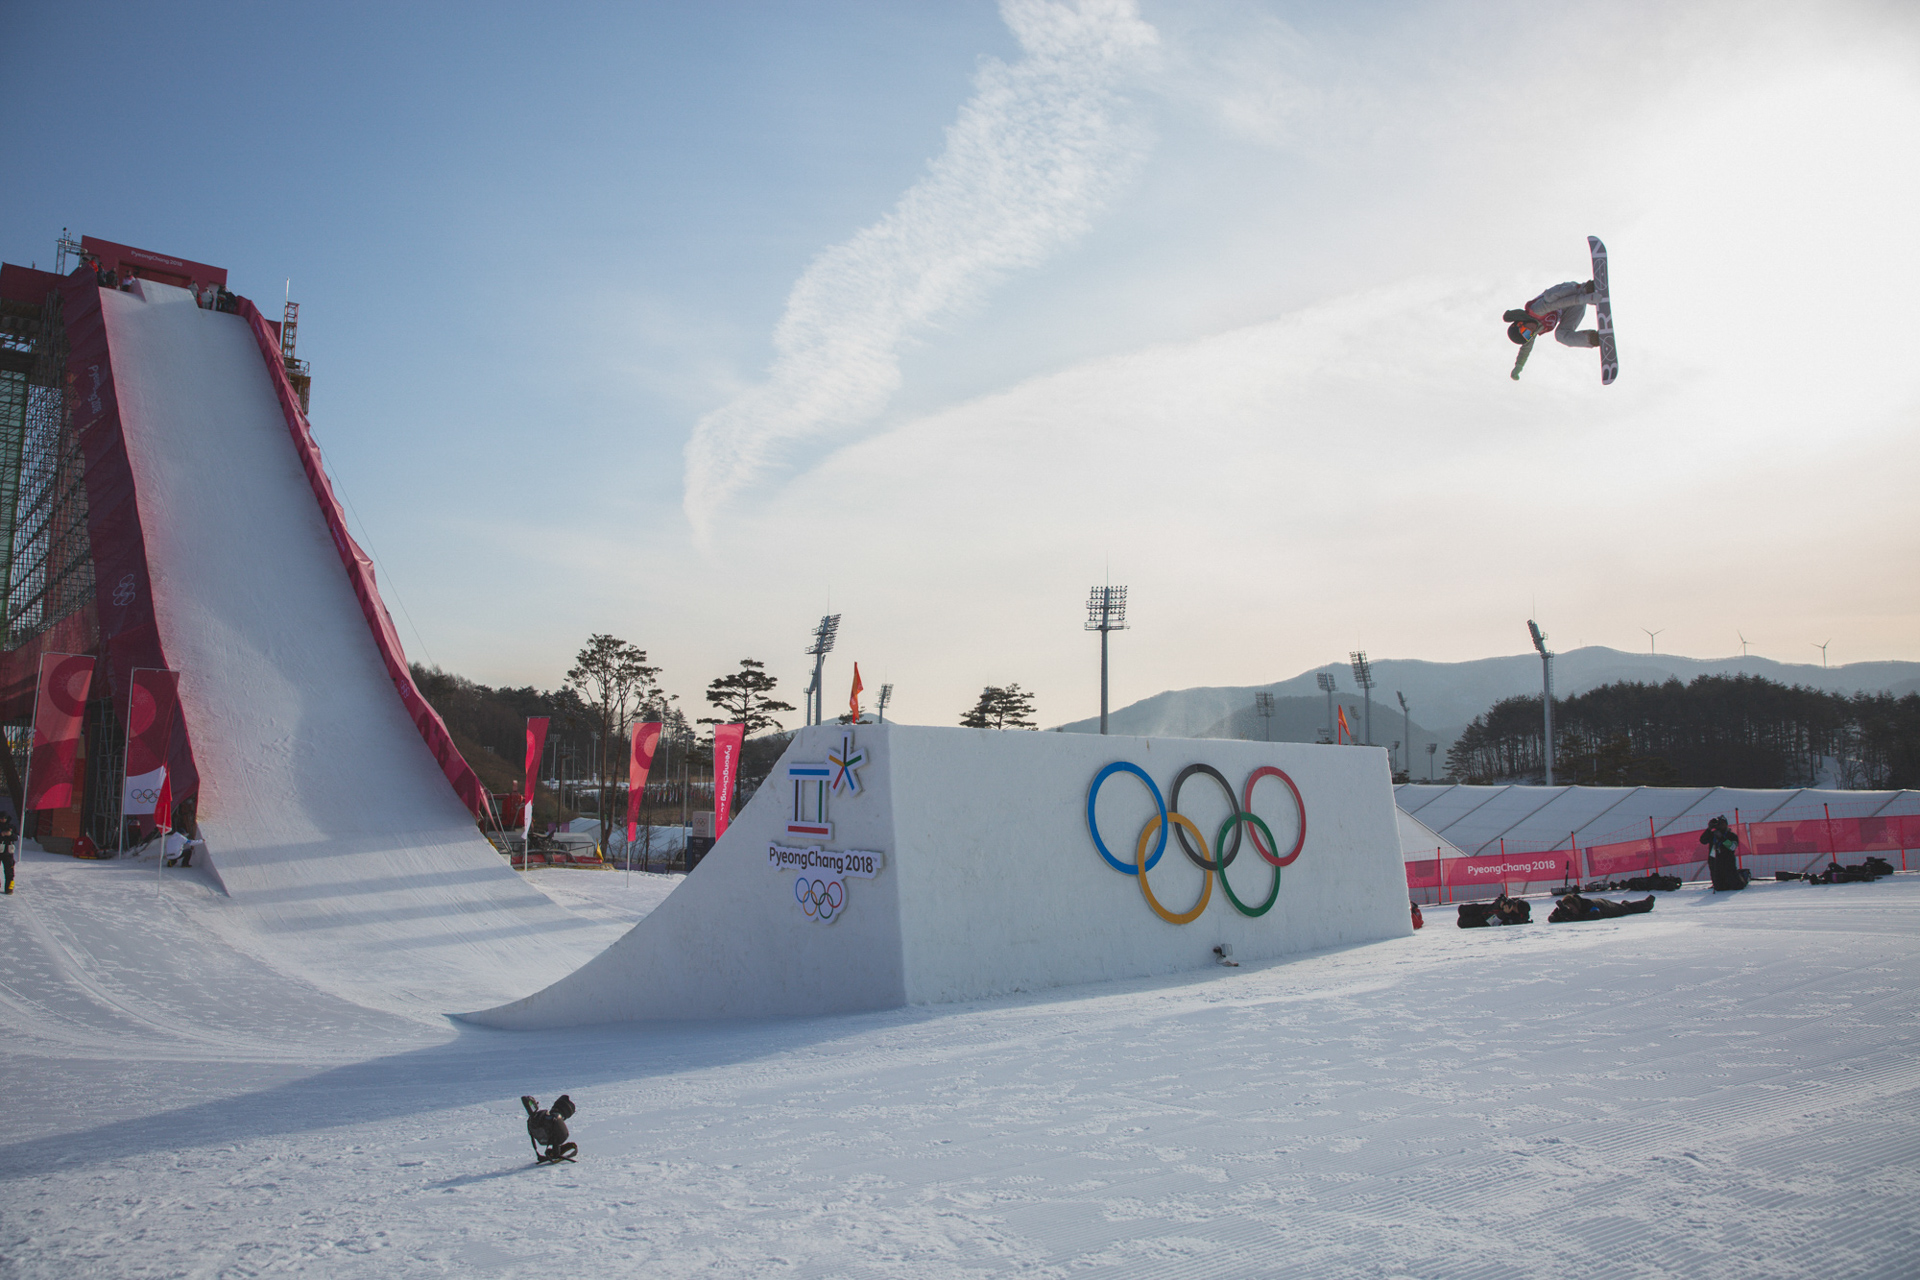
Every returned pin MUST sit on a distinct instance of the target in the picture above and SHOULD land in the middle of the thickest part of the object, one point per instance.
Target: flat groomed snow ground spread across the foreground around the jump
(1721, 1089)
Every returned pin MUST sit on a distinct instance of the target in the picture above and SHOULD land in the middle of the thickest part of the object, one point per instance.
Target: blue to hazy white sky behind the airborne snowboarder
(690, 321)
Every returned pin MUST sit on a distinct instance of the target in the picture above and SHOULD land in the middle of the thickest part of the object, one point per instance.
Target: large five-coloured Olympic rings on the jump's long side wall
(1193, 841)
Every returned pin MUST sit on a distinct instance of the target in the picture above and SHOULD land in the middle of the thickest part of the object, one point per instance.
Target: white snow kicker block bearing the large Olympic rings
(992, 882)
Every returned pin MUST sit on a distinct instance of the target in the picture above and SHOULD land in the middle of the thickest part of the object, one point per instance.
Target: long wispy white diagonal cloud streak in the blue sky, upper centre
(1030, 162)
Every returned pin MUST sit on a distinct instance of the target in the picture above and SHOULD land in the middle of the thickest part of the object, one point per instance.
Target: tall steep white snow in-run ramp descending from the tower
(331, 822)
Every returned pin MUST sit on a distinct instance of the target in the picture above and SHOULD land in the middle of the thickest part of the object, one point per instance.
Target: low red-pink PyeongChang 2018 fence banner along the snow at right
(1804, 843)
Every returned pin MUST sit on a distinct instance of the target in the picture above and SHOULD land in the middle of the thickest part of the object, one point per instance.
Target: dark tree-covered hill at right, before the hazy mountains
(1714, 732)
